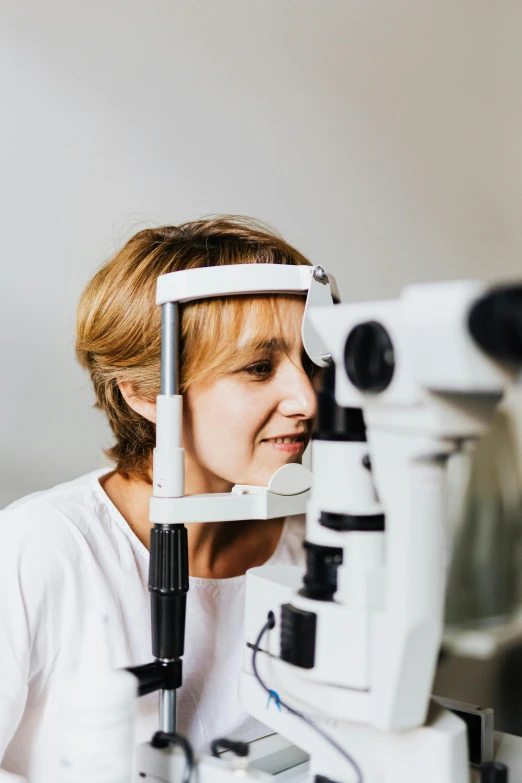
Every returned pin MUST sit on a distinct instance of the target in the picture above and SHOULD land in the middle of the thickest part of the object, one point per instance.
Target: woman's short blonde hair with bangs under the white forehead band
(118, 323)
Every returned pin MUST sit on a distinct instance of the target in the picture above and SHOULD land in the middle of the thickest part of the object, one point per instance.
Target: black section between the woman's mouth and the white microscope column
(333, 422)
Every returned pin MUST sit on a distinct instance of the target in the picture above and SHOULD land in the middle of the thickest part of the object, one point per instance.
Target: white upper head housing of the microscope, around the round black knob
(436, 360)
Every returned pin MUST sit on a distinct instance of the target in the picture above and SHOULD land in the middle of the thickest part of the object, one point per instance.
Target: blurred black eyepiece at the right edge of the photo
(495, 323)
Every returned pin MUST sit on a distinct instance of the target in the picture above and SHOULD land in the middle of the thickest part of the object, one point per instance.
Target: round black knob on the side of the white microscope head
(368, 357)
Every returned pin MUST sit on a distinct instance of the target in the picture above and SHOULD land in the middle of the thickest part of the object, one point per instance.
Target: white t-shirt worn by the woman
(68, 551)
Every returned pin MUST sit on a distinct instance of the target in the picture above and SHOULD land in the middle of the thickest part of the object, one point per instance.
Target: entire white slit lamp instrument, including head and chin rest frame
(339, 659)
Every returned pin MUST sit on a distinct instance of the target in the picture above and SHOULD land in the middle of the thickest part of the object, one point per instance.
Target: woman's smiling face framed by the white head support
(239, 428)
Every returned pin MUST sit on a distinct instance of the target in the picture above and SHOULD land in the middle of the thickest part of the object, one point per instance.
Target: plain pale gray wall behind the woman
(382, 138)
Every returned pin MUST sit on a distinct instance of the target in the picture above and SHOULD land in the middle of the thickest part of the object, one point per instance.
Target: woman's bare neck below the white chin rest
(217, 550)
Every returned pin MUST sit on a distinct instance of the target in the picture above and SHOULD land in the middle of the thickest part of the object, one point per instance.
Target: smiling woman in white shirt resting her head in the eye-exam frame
(81, 546)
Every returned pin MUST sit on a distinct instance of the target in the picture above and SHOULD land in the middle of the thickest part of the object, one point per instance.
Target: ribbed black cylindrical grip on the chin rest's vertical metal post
(168, 586)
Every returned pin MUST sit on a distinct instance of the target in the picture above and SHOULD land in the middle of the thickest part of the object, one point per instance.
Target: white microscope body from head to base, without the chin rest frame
(360, 657)
